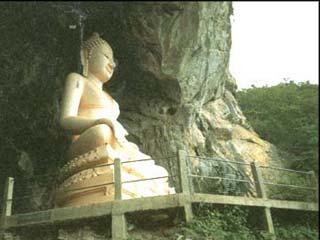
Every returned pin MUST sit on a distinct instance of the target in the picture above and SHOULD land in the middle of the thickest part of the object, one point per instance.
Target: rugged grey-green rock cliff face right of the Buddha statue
(178, 91)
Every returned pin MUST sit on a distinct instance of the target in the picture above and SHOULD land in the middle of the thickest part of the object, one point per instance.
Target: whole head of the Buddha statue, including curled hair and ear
(97, 58)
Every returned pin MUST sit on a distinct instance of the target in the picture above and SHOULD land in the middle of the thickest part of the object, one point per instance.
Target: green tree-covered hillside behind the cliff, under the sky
(287, 116)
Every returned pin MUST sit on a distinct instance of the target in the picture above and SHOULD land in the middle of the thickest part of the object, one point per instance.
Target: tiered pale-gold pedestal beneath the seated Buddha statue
(95, 184)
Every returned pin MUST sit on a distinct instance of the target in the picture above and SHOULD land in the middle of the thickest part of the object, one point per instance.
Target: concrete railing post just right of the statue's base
(185, 185)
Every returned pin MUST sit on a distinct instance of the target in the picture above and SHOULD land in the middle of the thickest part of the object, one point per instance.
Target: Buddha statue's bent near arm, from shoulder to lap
(69, 118)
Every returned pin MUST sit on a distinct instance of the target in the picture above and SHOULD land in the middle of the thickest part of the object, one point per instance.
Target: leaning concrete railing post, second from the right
(261, 193)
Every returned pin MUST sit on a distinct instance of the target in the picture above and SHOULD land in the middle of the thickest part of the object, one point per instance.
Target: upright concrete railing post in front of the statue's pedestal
(119, 230)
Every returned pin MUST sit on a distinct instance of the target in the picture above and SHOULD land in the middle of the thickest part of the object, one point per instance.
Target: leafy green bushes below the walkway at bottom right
(231, 222)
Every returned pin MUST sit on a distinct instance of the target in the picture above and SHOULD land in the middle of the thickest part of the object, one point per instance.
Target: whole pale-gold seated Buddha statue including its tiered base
(90, 115)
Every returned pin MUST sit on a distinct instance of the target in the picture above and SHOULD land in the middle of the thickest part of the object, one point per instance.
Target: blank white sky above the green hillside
(273, 41)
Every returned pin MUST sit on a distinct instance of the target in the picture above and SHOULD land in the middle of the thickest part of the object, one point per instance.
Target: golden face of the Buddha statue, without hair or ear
(101, 62)
